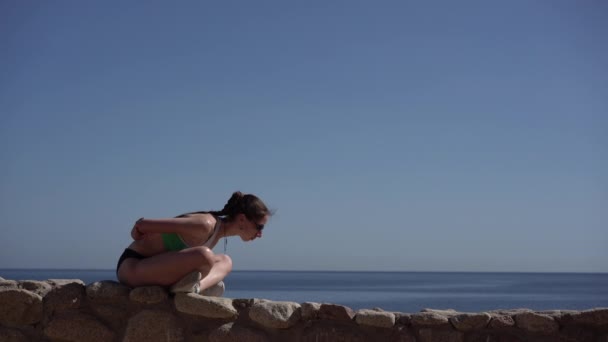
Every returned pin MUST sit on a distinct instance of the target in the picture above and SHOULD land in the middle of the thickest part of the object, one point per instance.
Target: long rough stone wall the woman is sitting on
(67, 310)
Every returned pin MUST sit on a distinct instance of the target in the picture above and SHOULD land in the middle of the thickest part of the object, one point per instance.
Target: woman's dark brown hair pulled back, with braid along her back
(250, 205)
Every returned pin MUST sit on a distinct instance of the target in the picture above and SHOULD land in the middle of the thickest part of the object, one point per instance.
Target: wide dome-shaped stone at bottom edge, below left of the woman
(78, 327)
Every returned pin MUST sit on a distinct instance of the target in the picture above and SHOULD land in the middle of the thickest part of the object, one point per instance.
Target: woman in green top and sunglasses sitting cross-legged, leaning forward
(177, 251)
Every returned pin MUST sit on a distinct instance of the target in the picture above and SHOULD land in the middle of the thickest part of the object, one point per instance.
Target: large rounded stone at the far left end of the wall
(19, 307)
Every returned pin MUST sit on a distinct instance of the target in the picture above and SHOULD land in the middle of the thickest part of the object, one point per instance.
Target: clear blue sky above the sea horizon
(387, 135)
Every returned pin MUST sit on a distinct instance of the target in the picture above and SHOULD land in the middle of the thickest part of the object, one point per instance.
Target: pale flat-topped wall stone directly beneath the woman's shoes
(209, 307)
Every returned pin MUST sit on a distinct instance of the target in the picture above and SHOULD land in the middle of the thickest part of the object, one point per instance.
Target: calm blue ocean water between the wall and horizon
(397, 291)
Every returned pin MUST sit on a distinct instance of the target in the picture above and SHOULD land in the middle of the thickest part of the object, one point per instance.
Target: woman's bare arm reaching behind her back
(181, 225)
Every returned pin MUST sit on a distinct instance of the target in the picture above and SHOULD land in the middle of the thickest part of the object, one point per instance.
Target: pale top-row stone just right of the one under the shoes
(276, 315)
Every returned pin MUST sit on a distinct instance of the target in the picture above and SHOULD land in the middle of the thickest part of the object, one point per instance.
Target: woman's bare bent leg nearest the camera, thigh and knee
(167, 268)
